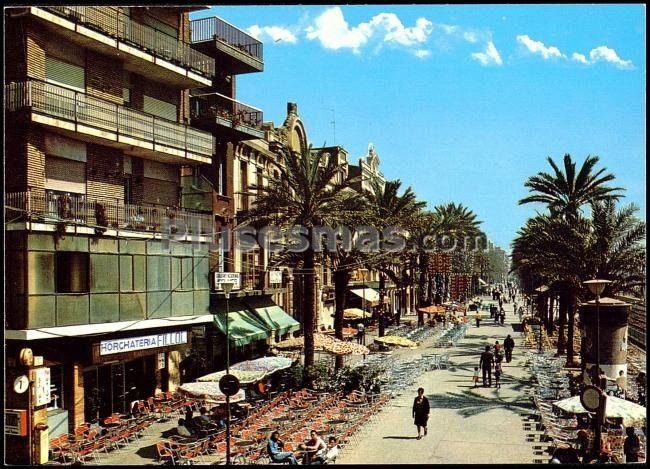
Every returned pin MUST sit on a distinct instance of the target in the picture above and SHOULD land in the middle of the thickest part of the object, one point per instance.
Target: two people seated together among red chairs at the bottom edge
(315, 451)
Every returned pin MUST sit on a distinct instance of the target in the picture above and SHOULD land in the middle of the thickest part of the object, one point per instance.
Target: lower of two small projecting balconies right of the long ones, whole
(220, 114)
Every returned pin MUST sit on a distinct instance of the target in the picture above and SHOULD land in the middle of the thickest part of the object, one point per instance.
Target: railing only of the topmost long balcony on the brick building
(114, 23)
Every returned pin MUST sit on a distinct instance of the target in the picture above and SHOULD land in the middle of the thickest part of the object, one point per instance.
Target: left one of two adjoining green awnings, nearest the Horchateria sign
(244, 326)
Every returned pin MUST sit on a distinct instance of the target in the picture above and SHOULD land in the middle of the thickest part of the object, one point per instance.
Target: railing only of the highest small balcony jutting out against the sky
(208, 29)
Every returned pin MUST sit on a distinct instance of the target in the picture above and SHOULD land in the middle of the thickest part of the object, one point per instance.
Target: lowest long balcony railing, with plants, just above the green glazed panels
(104, 212)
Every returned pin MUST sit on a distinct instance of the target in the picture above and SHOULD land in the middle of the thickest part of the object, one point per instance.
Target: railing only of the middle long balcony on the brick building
(62, 103)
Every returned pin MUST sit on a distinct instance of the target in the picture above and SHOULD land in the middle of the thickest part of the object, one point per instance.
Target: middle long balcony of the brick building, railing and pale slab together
(106, 123)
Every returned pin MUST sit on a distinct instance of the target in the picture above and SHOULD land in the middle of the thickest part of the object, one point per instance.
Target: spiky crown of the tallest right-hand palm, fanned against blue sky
(564, 193)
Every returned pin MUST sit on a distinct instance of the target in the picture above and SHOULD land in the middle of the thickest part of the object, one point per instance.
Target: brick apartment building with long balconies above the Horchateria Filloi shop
(115, 185)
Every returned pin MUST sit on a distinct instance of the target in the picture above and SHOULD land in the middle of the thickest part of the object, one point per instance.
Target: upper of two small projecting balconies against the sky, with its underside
(234, 51)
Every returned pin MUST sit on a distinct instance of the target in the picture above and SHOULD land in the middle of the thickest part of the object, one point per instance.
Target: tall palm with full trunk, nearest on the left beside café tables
(307, 192)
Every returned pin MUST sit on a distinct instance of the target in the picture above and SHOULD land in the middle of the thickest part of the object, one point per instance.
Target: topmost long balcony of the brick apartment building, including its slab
(144, 50)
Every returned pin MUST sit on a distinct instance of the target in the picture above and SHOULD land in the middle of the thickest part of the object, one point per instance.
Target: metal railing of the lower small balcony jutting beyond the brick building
(215, 105)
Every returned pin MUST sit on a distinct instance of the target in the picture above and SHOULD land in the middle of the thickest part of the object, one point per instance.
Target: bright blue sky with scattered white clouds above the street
(462, 103)
